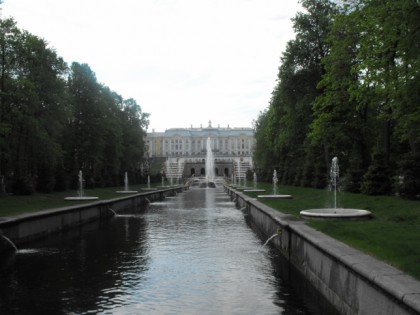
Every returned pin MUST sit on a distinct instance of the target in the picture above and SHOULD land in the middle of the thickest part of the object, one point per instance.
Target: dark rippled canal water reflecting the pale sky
(190, 254)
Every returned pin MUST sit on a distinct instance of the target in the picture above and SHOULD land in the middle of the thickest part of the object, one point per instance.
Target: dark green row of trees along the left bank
(56, 120)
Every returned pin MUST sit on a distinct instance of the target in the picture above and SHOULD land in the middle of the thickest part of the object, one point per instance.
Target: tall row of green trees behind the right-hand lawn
(348, 86)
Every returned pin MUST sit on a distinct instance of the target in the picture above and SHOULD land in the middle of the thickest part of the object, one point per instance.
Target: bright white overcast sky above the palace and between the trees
(184, 61)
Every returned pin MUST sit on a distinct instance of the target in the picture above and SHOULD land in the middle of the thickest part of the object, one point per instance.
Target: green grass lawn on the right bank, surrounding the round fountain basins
(392, 235)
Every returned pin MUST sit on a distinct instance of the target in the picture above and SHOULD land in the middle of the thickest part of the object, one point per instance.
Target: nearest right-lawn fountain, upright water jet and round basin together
(335, 213)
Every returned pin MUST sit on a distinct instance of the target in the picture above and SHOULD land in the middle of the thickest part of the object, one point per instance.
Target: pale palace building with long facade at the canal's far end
(188, 146)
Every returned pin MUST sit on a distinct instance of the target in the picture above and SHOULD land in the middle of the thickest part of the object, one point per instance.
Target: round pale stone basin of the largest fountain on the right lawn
(332, 213)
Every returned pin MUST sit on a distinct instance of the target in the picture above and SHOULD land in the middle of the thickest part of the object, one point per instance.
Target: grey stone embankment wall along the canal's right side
(353, 282)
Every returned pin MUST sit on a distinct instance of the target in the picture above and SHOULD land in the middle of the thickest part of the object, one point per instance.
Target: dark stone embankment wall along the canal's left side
(39, 224)
